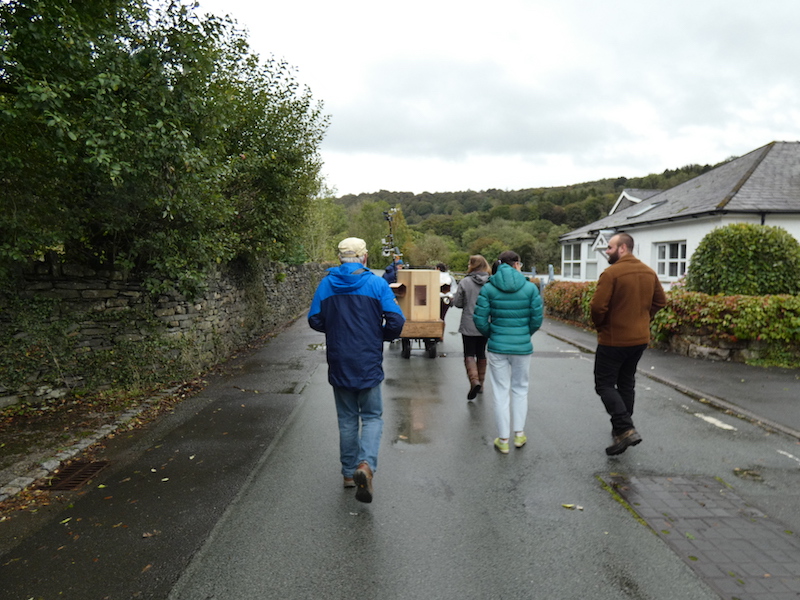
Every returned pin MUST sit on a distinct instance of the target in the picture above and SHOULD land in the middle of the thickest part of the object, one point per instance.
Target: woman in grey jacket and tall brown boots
(474, 343)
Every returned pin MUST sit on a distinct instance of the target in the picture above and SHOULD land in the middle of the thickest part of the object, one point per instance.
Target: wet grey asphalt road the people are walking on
(238, 494)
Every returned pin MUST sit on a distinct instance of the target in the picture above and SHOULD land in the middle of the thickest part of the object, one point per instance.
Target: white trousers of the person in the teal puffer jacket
(508, 376)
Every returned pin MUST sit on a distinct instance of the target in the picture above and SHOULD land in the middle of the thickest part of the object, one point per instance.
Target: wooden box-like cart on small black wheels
(417, 293)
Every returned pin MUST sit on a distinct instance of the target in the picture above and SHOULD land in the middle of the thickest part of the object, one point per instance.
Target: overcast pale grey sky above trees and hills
(437, 96)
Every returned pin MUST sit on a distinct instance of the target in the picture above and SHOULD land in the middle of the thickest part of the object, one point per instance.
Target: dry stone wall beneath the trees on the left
(104, 311)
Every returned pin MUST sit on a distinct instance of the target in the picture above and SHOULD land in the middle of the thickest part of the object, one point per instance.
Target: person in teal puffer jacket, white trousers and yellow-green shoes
(509, 311)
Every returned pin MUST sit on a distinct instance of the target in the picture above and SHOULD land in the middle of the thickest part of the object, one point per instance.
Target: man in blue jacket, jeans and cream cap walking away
(357, 312)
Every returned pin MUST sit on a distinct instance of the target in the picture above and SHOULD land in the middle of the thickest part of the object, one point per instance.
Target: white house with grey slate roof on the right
(762, 187)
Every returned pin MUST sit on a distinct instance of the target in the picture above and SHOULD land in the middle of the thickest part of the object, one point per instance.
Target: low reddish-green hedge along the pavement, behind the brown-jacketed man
(772, 320)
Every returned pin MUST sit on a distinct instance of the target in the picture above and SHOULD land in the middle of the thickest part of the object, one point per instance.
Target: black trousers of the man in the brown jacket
(614, 381)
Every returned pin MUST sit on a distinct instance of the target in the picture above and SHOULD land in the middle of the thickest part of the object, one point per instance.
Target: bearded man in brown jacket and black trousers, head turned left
(628, 295)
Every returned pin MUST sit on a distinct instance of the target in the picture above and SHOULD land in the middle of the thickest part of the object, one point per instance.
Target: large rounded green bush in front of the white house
(747, 259)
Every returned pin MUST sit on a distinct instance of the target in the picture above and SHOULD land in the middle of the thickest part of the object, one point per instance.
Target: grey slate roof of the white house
(766, 180)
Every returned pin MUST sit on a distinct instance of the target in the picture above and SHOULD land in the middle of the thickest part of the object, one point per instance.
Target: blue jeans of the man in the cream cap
(354, 408)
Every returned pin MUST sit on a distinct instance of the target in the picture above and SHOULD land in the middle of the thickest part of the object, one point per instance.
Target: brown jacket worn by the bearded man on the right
(628, 295)
